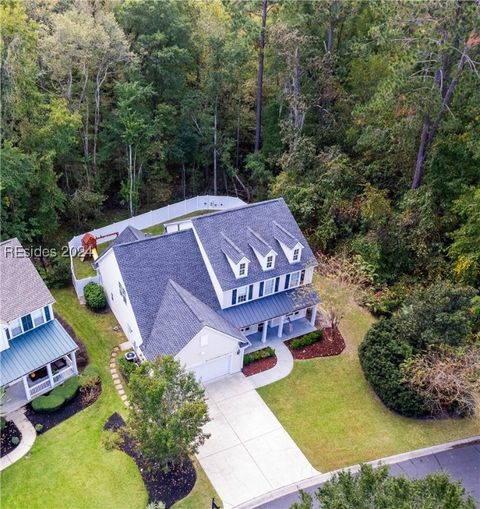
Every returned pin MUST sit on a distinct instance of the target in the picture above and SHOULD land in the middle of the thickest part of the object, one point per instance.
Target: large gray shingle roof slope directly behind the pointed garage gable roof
(148, 265)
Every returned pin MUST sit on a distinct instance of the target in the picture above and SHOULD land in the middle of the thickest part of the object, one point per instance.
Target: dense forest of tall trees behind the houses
(363, 115)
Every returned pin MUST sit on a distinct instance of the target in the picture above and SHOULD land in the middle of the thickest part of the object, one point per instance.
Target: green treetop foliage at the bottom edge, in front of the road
(376, 488)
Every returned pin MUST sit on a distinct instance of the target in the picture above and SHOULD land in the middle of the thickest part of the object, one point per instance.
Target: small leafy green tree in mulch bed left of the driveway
(167, 413)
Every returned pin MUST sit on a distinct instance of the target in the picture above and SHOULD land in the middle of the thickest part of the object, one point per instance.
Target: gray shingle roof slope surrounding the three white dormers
(264, 217)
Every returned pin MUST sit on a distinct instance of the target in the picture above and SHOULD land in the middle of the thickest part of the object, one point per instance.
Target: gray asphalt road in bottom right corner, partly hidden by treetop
(462, 463)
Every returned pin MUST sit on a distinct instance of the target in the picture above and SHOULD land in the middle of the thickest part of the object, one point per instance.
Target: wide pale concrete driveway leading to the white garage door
(249, 452)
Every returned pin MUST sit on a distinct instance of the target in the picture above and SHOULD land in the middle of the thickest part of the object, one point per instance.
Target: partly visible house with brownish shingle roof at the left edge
(36, 353)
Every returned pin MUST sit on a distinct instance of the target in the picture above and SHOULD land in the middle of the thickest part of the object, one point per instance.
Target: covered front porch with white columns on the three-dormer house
(284, 327)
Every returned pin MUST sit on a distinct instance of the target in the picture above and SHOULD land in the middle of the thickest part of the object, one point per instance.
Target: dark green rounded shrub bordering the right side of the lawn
(381, 355)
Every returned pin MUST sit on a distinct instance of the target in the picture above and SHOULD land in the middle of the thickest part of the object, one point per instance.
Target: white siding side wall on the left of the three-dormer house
(110, 277)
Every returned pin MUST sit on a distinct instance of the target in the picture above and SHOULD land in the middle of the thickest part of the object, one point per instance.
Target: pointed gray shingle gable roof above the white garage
(180, 317)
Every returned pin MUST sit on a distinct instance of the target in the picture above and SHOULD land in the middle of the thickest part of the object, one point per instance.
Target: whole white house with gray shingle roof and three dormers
(213, 286)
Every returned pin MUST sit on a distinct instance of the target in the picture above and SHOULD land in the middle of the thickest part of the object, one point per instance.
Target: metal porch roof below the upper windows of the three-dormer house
(272, 306)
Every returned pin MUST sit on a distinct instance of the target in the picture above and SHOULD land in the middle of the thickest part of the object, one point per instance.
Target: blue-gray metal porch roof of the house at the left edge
(34, 349)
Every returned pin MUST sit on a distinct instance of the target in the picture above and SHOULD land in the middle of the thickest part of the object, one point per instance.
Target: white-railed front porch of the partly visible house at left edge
(38, 382)
